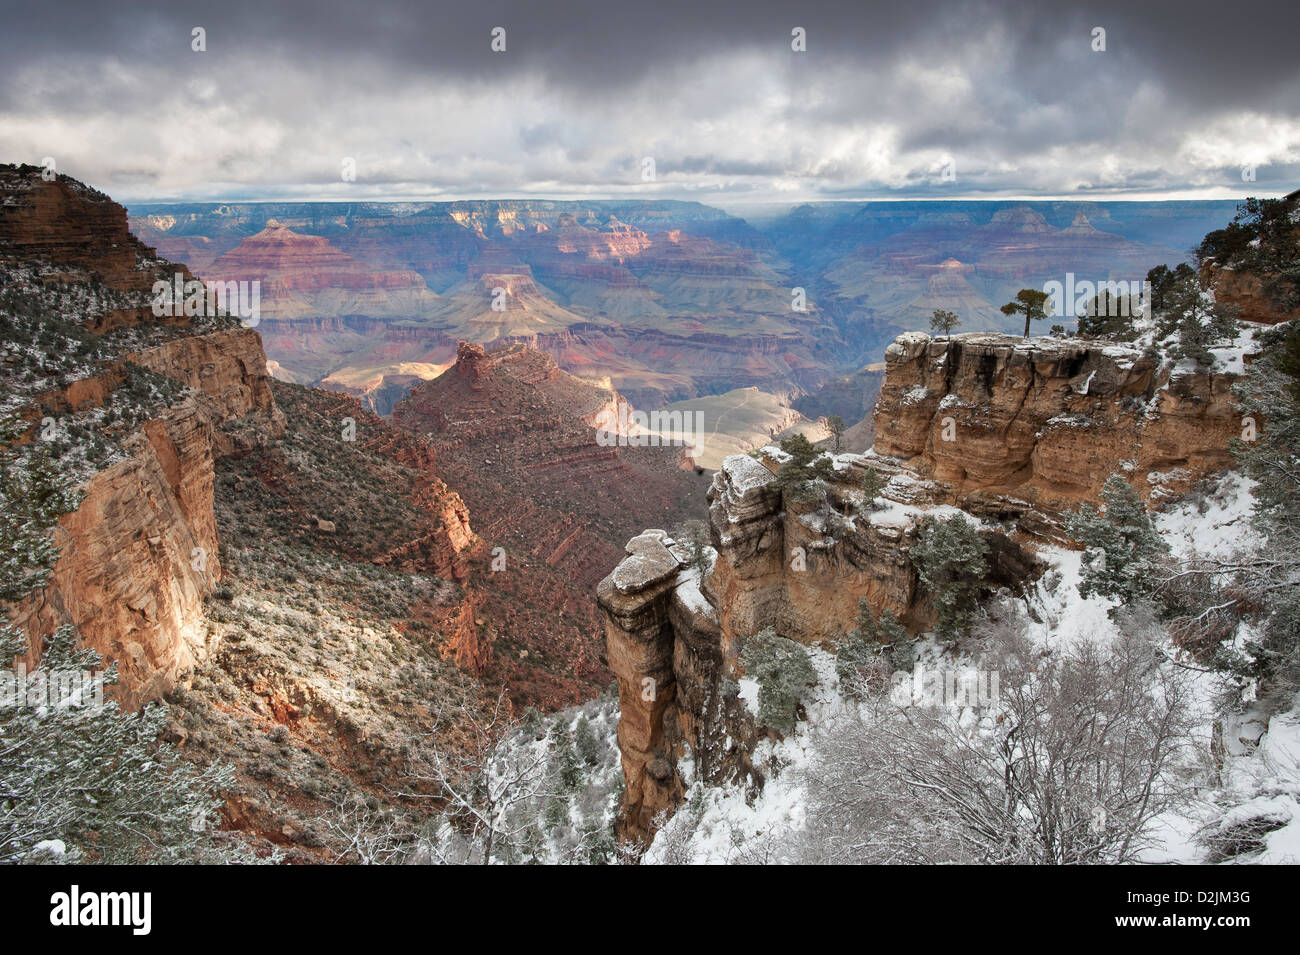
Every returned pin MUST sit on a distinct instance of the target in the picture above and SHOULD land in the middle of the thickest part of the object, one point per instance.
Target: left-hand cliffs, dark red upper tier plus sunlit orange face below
(141, 553)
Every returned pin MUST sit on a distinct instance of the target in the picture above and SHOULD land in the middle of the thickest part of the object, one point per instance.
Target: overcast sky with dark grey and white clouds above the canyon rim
(661, 99)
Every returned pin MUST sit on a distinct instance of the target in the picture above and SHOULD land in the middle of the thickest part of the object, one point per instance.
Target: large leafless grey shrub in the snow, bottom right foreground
(1082, 752)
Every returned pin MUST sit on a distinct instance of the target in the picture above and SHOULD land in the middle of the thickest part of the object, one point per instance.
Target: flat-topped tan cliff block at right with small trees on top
(1046, 422)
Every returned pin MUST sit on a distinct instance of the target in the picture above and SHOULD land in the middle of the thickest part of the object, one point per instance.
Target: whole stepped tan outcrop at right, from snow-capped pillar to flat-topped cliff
(1037, 427)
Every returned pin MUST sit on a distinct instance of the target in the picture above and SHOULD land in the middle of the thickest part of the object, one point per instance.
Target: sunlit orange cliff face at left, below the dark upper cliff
(141, 553)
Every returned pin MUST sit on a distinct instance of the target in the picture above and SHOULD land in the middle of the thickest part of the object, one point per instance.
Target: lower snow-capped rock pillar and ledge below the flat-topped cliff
(674, 635)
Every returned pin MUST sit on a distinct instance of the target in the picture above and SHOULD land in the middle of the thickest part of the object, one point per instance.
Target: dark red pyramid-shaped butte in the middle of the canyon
(517, 437)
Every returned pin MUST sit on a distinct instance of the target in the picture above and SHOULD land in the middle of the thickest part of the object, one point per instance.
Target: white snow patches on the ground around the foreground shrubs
(729, 824)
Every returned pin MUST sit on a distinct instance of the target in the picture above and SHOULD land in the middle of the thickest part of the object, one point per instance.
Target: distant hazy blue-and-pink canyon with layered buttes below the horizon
(664, 301)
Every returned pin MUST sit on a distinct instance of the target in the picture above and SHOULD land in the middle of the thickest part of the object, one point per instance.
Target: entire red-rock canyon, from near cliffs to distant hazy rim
(309, 576)
